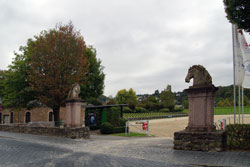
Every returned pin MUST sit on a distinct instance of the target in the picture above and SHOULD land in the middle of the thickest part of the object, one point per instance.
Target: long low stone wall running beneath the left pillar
(73, 133)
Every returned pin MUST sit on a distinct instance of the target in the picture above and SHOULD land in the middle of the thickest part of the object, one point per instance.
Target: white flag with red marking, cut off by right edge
(245, 50)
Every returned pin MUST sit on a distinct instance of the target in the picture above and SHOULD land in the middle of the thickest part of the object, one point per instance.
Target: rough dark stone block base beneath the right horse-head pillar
(200, 141)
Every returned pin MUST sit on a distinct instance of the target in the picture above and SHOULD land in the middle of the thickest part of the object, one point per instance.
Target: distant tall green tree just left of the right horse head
(167, 98)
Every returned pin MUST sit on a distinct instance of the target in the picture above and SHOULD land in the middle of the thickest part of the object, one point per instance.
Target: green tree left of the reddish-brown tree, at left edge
(14, 83)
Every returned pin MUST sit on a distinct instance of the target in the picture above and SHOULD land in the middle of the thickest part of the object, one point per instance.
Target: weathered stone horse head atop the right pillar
(201, 78)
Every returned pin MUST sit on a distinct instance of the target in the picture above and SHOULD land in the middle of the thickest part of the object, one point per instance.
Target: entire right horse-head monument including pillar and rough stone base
(200, 134)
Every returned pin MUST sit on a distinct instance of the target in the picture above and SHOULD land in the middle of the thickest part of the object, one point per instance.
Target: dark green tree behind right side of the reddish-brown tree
(94, 86)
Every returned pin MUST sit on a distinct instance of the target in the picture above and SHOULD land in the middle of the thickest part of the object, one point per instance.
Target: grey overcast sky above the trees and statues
(143, 44)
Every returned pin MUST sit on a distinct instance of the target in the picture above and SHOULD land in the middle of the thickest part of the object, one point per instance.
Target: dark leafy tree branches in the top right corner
(238, 12)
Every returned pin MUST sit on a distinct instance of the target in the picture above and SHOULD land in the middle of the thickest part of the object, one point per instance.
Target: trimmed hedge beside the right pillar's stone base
(238, 136)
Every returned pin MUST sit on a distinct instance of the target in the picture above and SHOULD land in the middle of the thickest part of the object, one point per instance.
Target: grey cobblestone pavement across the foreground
(23, 150)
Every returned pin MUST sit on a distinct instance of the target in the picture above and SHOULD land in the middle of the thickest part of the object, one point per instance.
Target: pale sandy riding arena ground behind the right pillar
(166, 127)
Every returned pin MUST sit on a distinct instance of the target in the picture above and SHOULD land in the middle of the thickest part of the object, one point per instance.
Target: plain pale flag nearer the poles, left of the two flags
(238, 59)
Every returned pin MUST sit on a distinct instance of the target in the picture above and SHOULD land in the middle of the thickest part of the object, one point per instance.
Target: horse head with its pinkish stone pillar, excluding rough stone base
(201, 100)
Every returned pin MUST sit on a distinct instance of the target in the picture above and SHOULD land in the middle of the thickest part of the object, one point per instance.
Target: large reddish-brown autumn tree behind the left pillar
(57, 60)
